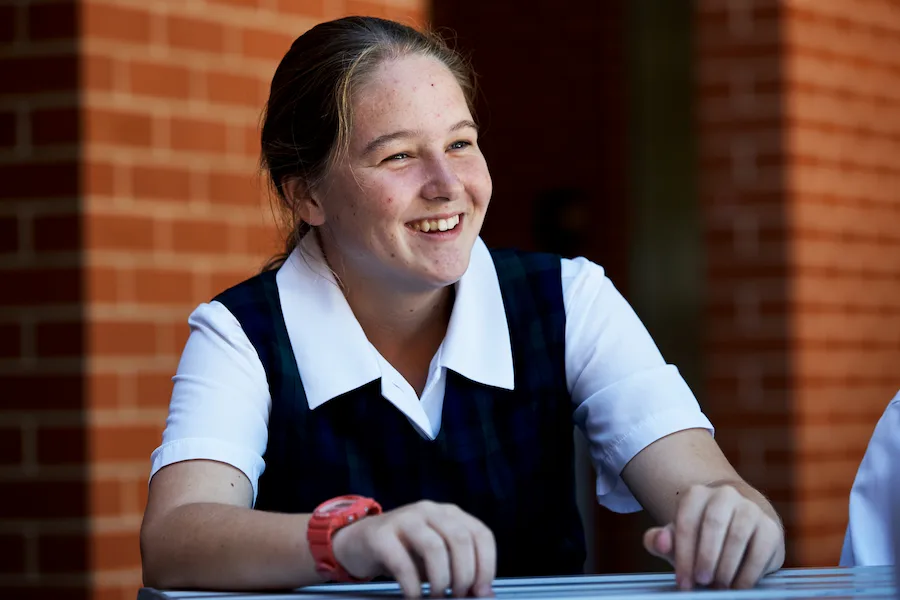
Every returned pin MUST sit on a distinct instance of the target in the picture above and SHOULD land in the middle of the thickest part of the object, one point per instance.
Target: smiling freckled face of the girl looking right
(409, 200)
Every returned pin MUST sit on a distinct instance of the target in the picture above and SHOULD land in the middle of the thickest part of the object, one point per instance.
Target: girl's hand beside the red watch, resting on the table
(425, 541)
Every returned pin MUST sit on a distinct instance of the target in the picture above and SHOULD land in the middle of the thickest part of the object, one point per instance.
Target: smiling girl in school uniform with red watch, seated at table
(393, 398)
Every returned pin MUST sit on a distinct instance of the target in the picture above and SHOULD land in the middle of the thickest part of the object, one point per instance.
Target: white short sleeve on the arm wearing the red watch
(220, 402)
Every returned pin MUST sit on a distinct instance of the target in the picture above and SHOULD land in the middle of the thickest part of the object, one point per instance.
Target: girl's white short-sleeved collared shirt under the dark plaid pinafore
(625, 396)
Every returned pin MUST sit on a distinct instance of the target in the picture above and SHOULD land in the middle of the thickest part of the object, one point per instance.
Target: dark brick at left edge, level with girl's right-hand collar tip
(44, 391)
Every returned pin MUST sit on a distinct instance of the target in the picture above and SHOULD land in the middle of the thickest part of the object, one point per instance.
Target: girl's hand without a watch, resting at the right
(719, 538)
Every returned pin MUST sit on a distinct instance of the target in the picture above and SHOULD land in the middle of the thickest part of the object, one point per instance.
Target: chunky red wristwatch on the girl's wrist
(328, 517)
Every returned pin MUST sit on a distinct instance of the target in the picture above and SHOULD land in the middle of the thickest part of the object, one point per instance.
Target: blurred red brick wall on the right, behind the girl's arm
(800, 176)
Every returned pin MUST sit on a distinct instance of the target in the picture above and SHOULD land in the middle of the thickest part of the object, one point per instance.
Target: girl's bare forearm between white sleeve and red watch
(217, 546)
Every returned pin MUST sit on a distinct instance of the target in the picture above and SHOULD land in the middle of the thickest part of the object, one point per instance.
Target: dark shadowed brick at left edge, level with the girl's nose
(38, 180)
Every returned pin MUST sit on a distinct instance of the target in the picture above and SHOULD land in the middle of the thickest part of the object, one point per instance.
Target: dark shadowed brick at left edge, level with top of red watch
(28, 499)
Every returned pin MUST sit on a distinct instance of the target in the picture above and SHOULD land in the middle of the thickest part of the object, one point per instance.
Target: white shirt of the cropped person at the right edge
(873, 497)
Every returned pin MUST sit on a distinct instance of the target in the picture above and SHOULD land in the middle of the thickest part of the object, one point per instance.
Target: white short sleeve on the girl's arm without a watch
(626, 397)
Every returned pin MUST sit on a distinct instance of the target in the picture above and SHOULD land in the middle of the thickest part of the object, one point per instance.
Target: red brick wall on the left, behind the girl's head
(128, 149)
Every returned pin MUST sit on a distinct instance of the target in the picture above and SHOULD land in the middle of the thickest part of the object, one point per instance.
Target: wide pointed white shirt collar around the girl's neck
(333, 354)
